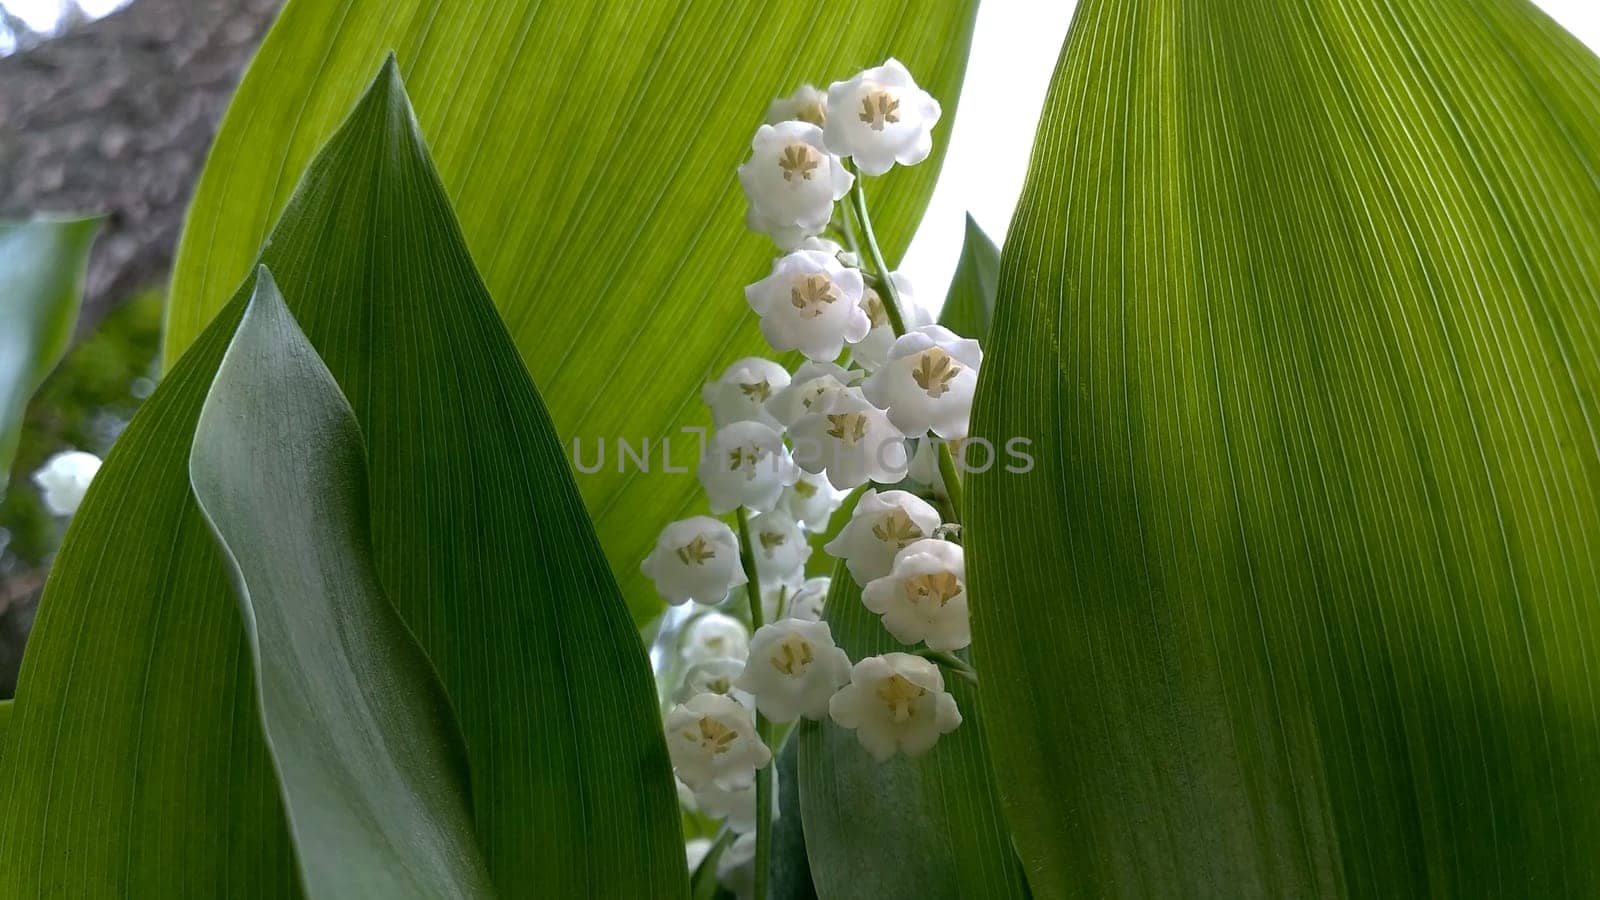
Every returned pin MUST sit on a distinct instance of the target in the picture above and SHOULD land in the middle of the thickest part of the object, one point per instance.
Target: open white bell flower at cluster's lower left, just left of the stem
(713, 742)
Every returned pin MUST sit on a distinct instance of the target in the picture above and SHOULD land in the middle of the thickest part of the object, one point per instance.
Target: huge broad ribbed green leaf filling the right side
(1300, 313)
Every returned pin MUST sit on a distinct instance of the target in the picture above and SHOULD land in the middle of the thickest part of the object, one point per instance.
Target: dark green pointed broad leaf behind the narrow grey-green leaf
(137, 765)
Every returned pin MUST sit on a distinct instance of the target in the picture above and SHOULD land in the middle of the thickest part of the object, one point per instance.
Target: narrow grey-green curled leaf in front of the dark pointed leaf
(374, 771)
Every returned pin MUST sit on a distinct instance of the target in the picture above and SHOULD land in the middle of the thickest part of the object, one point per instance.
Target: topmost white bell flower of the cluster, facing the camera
(881, 118)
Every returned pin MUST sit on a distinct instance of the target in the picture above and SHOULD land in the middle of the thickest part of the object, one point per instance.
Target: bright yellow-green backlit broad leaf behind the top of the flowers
(590, 151)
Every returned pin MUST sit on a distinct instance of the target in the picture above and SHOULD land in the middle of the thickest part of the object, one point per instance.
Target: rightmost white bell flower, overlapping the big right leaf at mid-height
(929, 382)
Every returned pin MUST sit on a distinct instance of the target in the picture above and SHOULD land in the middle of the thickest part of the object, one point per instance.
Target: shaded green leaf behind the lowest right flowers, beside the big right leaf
(916, 829)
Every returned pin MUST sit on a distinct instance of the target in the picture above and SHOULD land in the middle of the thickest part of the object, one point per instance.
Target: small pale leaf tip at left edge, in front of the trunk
(42, 267)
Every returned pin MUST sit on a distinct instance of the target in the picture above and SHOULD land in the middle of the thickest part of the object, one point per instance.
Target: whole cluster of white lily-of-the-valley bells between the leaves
(879, 387)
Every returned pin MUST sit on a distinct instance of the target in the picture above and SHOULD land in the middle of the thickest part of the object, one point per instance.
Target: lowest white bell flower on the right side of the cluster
(895, 702)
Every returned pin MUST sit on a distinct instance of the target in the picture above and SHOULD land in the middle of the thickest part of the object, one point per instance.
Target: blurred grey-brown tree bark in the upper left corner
(116, 118)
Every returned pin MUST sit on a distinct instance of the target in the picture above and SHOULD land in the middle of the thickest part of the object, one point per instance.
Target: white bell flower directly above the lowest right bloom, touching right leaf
(924, 597)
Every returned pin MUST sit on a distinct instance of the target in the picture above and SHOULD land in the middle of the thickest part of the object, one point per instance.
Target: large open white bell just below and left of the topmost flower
(791, 183)
